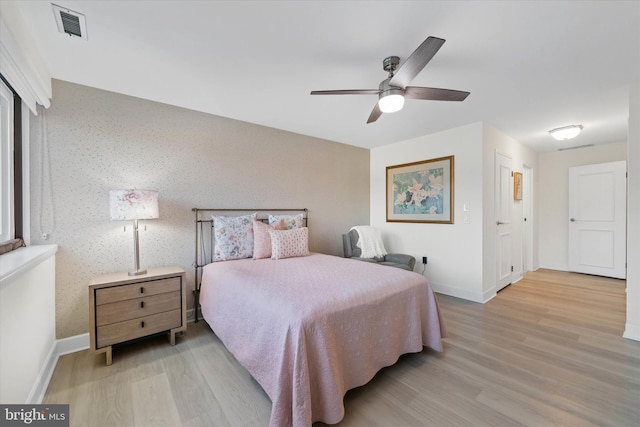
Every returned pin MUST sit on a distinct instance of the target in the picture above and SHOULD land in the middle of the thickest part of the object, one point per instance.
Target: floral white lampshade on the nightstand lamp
(133, 204)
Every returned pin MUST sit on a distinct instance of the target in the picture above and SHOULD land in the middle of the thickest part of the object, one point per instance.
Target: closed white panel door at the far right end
(597, 219)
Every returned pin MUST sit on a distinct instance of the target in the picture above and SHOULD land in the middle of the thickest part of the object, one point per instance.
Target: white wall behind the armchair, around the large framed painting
(448, 246)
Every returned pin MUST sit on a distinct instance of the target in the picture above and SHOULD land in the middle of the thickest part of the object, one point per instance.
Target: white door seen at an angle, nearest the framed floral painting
(504, 201)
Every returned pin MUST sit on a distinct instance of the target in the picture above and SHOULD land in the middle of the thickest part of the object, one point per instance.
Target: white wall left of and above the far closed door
(554, 197)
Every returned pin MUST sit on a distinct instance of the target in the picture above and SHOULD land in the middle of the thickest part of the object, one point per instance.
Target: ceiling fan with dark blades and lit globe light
(393, 90)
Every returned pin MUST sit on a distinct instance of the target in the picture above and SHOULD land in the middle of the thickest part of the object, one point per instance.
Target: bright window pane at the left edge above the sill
(7, 225)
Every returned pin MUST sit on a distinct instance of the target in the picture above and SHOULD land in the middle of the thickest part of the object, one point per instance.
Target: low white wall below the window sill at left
(27, 321)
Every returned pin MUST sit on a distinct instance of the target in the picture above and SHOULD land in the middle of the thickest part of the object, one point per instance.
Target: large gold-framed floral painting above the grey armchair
(421, 192)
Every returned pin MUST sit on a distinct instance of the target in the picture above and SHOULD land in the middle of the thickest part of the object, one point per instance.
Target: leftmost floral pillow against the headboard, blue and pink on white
(233, 236)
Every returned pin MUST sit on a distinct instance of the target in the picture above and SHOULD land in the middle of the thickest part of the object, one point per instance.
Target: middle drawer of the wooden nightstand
(137, 307)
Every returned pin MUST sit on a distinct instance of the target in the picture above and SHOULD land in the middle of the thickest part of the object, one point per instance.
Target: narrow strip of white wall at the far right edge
(632, 327)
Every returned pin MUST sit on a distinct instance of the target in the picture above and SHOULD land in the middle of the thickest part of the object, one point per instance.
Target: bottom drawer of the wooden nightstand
(136, 328)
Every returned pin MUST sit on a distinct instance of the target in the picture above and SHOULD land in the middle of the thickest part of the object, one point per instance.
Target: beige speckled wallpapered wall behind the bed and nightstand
(91, 141)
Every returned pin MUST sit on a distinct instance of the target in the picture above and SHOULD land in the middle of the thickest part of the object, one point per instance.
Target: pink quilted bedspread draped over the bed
(308, 329)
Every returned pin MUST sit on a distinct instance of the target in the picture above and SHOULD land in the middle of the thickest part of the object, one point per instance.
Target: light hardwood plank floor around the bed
(546, 351)
